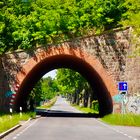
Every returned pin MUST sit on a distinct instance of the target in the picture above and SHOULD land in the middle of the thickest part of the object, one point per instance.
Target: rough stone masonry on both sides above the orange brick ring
(110, 48)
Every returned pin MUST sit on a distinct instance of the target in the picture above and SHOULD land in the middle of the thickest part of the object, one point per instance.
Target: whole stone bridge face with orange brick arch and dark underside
(100, 59)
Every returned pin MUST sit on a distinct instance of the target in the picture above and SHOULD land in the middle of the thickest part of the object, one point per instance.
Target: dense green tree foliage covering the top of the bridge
(28, 23)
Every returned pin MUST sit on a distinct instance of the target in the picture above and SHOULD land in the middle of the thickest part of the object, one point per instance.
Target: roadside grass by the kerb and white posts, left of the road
(7, 122)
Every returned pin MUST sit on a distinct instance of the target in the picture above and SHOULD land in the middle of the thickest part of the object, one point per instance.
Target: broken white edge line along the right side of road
(116, 130)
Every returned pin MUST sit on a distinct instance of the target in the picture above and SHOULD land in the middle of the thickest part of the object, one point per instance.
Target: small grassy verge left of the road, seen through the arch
(48, 104)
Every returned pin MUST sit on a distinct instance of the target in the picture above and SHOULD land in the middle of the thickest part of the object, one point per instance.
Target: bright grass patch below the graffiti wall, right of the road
(122, 119)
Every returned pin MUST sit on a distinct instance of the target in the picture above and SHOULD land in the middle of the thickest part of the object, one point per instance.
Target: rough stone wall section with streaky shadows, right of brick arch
(111, 49)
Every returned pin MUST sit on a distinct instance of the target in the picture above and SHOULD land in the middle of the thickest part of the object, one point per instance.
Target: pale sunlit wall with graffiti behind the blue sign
(131, 101)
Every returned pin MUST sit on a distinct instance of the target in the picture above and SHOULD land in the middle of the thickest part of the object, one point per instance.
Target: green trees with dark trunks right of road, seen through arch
(72, 84)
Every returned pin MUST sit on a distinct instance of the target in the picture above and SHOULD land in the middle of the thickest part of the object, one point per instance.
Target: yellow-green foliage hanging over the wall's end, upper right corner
(132, 18)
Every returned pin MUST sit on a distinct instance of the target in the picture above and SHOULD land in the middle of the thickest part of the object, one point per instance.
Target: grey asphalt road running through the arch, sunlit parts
(71, 128)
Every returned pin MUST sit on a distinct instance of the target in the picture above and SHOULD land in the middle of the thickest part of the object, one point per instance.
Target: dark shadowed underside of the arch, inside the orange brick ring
(66, 61)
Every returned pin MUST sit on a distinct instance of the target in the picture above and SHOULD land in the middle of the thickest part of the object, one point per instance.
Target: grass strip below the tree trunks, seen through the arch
(85, 109)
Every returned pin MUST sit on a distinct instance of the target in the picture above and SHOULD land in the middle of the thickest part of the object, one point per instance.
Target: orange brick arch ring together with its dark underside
(67, 57)
